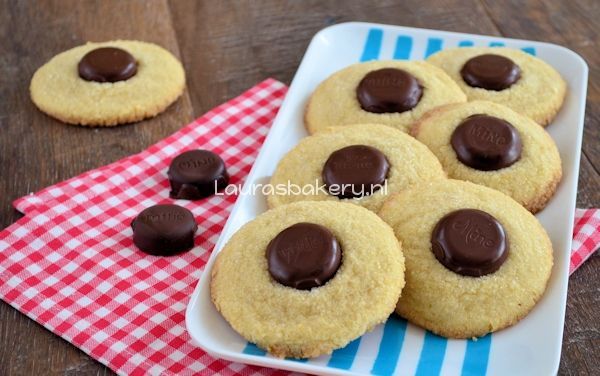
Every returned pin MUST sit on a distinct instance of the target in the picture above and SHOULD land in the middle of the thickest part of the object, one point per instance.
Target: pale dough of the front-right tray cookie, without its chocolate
(459, 306)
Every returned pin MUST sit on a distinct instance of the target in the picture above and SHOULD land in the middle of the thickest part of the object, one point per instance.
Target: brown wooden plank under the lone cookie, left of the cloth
(36, 151)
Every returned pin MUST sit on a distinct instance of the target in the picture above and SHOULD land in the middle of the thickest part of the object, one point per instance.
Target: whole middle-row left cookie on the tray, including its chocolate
(372, 160)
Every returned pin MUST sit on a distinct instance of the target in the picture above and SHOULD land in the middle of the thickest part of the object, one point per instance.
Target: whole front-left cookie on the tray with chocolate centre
(304, 279)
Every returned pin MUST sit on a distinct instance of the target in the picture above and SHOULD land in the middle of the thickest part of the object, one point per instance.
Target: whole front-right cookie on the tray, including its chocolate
(476, 260)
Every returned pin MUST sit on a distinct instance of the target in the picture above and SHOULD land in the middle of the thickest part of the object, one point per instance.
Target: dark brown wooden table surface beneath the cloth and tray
(226, 47)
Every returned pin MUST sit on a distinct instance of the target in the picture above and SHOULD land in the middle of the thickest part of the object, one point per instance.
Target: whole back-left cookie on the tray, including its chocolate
(394, 93)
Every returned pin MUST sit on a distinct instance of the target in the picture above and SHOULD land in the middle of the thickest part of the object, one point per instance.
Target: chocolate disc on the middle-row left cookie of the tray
(355, 171)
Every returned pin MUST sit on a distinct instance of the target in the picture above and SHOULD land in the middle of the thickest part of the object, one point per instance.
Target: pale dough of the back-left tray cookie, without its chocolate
(334, 102)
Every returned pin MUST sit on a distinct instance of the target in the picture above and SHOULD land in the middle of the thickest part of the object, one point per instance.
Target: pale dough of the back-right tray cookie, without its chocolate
(538, 94)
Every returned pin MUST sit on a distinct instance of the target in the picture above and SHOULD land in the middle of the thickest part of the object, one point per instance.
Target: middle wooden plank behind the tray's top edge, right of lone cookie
(230, 45)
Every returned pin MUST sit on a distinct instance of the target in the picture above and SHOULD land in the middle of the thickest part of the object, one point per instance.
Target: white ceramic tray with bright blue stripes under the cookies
(532, 347)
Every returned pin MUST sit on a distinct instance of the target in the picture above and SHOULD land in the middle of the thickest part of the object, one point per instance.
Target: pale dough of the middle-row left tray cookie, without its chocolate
(410, 163)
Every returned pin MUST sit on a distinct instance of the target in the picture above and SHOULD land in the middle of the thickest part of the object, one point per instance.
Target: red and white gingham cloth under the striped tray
(70, 264)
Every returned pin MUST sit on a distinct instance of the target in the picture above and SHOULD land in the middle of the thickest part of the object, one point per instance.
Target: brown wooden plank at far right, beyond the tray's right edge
(574, 25)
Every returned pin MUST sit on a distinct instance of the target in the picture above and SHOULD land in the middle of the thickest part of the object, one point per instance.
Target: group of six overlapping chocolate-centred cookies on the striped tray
(429, 173)
